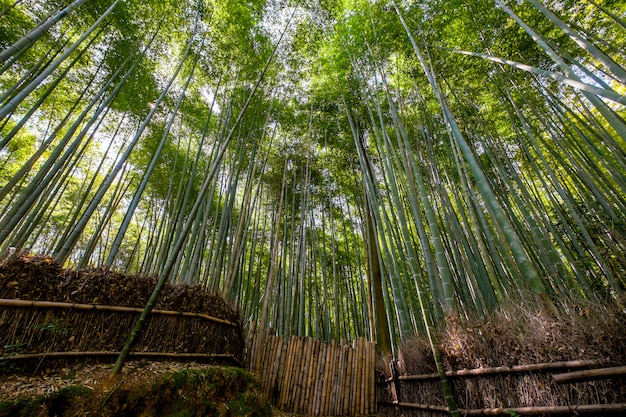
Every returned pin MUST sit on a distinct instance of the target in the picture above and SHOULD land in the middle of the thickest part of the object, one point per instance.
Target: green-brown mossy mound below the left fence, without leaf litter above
(214, 391)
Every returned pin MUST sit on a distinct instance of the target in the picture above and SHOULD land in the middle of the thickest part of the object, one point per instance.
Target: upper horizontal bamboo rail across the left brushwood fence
(96, 307)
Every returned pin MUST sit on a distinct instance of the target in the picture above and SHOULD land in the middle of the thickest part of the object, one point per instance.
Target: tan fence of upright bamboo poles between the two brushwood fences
(303, 375)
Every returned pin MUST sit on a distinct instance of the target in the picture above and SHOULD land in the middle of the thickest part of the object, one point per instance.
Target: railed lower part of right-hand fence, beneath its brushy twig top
(578, 387)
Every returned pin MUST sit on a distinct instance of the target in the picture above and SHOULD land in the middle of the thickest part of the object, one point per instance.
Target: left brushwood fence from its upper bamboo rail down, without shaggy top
(59, 332)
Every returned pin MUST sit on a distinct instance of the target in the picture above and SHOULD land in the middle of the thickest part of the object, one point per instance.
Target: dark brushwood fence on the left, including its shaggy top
(50, 316)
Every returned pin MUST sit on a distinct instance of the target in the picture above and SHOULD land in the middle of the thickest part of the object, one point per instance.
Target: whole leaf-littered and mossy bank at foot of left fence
(143, 388)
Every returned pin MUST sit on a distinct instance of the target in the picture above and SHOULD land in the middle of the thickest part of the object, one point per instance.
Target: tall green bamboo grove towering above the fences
(333, 168)
